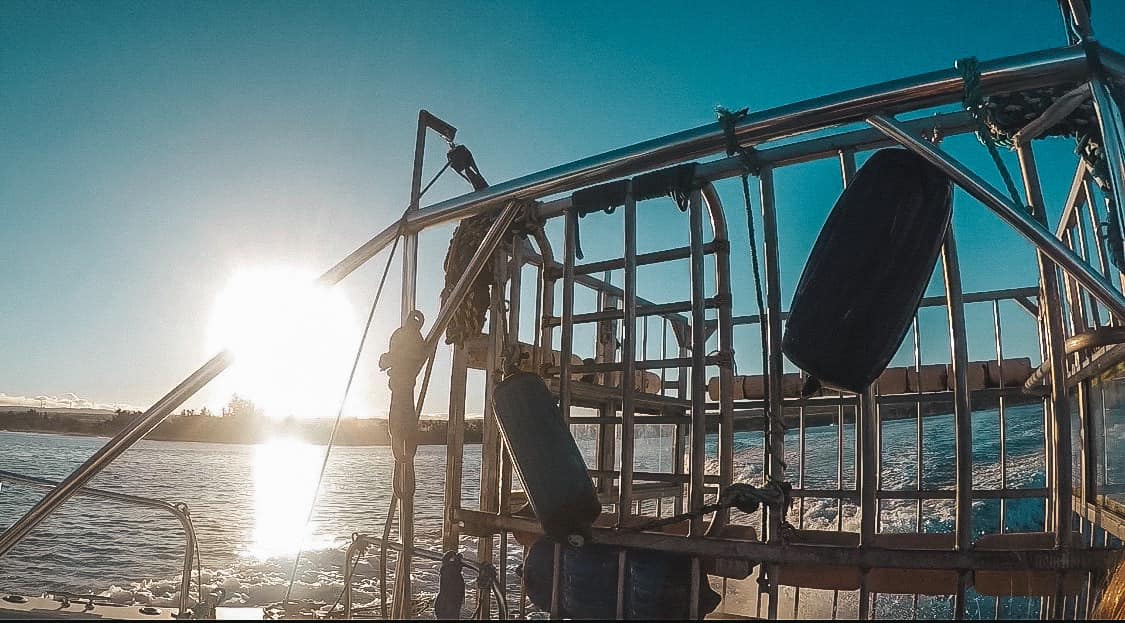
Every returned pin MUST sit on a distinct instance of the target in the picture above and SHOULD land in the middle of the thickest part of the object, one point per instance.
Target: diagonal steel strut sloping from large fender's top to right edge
(1012, 214)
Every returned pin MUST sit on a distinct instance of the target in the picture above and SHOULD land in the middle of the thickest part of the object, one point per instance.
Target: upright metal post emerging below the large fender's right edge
(962, 411)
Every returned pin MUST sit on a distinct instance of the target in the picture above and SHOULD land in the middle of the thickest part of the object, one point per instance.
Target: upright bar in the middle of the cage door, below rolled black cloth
(629, 362)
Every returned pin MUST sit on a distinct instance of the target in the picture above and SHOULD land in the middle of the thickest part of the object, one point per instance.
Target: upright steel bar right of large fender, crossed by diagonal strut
(1060, 405)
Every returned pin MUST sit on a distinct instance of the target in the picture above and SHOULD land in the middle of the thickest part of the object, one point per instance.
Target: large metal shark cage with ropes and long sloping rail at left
(883, 455)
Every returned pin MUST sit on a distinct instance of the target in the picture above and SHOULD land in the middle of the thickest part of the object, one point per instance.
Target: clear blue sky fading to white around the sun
(152, 150)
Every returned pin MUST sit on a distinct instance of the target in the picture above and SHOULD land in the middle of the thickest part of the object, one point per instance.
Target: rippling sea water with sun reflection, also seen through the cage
(249, 504)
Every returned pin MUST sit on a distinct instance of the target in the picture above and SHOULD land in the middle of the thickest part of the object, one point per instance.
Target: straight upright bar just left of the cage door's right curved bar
(698, 342)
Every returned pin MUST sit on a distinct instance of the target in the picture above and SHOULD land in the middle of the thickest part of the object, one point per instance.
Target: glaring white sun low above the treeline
(293, 340)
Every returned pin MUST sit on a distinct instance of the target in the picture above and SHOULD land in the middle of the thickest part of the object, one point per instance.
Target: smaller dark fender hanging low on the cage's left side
(546, 457)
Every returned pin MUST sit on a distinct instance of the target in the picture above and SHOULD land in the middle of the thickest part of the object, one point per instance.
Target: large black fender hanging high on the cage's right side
(869, 270)
